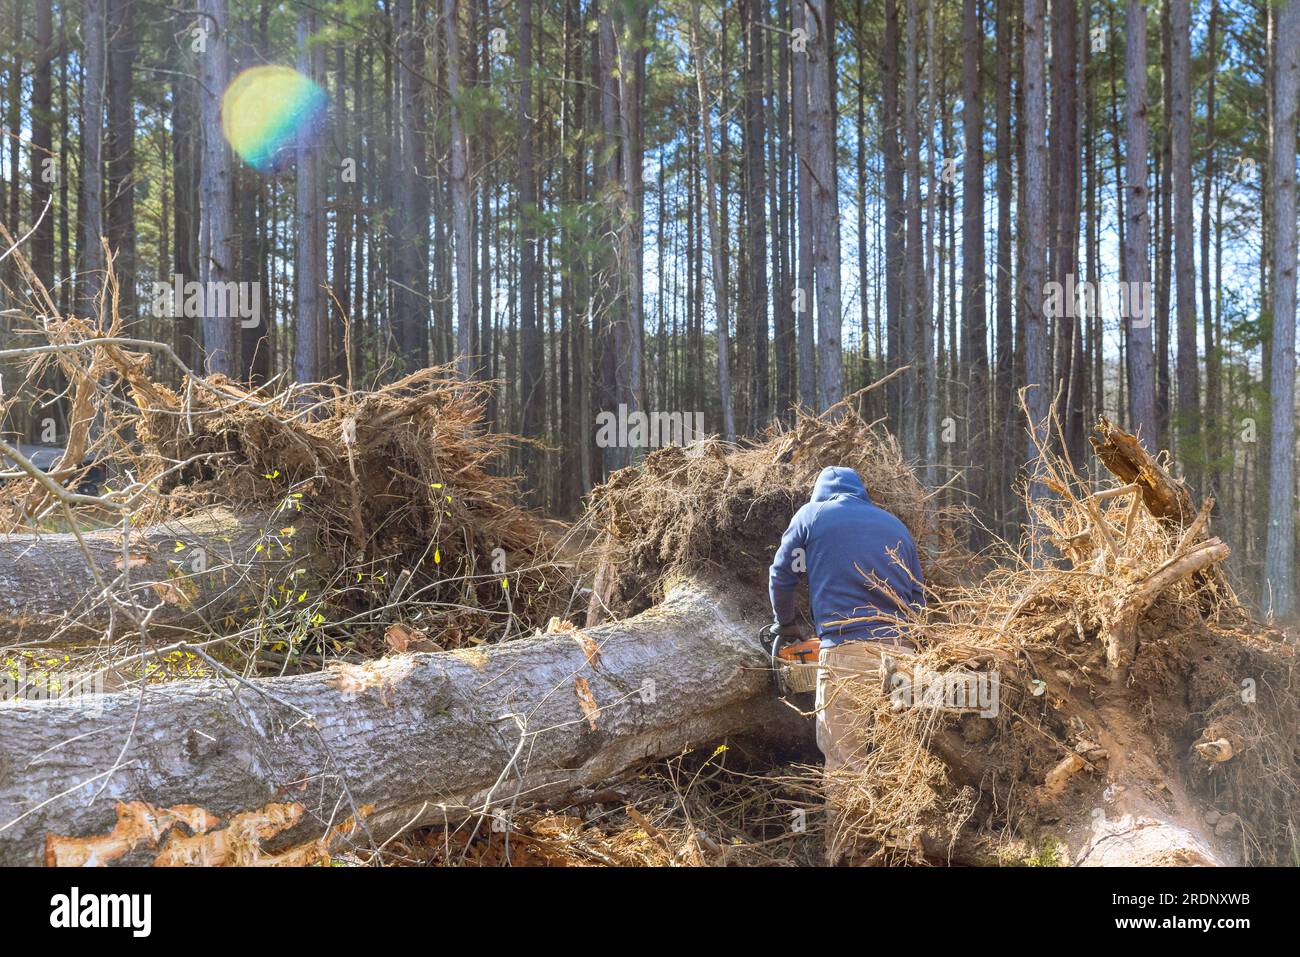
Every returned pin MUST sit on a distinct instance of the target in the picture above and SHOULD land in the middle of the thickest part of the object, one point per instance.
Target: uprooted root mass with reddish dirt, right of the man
(1128, 681)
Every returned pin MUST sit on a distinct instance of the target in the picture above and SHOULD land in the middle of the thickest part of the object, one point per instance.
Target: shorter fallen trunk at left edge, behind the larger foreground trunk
(197, 570)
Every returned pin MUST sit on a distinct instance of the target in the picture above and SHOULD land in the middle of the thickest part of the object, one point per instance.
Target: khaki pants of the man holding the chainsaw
(850, 673)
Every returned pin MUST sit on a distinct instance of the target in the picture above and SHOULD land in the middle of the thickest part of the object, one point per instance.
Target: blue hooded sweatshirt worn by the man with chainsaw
(846, 543)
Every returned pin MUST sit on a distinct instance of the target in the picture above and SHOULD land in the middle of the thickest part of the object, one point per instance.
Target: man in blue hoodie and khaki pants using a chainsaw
(865, 586)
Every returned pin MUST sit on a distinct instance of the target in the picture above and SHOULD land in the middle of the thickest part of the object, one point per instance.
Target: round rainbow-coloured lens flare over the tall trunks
(267, 111)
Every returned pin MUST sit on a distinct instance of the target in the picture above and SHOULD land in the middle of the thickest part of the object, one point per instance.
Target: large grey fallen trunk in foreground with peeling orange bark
(283, 770)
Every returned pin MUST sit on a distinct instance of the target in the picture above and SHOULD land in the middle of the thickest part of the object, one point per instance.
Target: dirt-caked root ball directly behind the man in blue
(717, 510)
